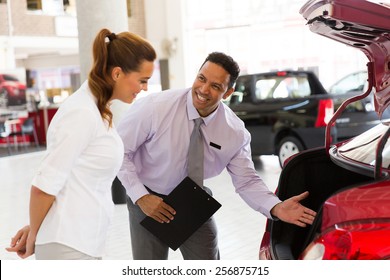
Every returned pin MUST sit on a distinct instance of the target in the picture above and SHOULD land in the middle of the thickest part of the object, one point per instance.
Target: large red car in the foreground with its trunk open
(349, 182)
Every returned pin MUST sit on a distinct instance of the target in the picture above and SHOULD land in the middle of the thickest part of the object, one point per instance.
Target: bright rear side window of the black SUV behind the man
(282, 87)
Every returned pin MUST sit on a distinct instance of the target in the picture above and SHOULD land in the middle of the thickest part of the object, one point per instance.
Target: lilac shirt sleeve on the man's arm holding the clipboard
(134, 129)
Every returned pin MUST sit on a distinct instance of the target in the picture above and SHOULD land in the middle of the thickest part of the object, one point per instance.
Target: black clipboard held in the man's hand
(193, 207)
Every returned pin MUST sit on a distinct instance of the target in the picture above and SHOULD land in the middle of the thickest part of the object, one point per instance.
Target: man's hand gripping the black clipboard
(154, 207)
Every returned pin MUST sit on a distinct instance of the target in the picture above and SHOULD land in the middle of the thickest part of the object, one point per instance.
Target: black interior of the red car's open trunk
(312, 171)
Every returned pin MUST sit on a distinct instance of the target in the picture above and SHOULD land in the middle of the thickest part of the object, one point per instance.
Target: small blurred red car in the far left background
(12, 91)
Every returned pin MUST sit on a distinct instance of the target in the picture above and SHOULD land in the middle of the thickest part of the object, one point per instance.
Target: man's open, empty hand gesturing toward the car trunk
(291, 211)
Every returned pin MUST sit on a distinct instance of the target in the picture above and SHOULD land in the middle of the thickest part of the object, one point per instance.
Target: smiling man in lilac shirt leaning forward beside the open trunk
(156, 134)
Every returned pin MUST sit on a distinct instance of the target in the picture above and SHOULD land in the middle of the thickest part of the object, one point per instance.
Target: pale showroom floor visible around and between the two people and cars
(240, 227)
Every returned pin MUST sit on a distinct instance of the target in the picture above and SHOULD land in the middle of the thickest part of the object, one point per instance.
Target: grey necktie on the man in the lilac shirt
(195, 154)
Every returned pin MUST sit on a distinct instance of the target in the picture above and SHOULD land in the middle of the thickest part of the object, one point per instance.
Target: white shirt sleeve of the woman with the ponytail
(67, 137)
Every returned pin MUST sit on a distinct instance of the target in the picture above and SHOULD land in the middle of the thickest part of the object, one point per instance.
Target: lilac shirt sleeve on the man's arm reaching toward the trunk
(248, 183)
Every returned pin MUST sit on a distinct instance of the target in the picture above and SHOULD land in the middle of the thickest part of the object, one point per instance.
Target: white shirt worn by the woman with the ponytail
(83, 157)
